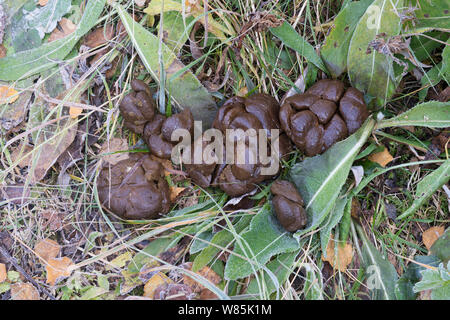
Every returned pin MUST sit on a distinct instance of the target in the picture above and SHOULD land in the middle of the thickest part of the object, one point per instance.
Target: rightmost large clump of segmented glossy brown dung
(313, 120)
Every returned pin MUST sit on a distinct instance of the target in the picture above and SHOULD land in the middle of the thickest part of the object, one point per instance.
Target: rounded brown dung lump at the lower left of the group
(134, 188)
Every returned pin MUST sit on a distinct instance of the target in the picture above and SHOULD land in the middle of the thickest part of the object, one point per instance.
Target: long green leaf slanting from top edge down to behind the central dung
(183, 87)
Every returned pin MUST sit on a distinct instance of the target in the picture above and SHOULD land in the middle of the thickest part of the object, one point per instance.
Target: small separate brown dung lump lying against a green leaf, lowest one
(288, 206)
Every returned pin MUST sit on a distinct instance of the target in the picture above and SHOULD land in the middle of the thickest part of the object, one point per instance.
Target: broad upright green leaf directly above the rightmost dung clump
(370, 71)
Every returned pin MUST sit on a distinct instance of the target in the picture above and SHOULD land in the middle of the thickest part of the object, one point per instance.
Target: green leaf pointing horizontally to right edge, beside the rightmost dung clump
(432, 114)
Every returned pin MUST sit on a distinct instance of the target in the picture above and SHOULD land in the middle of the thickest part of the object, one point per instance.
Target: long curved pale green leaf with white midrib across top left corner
(29, 62)
